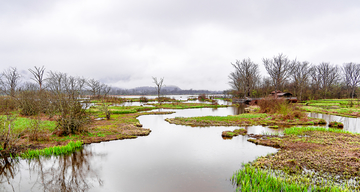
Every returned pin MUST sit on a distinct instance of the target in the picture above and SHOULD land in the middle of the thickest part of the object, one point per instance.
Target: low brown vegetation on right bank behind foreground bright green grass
(323, 152)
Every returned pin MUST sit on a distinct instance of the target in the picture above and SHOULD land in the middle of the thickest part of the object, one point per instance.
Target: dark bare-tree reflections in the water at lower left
(74, 172)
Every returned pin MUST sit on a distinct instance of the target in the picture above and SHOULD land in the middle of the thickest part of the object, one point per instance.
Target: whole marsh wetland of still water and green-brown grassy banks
(144, 144)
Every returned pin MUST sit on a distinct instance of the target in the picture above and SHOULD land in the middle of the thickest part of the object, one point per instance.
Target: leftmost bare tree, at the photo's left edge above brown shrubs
(10, 81)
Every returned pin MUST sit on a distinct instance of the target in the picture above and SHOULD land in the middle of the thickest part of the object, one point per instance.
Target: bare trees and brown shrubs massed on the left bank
(54, 94)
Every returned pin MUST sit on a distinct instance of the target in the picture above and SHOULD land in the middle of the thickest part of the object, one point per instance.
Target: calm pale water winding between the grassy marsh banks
(171, 158)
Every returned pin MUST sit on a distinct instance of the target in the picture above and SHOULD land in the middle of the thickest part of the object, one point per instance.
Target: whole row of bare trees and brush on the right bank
(303, 79)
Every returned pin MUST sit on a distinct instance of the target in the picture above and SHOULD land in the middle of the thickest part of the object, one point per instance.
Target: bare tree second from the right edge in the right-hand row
(327, 74)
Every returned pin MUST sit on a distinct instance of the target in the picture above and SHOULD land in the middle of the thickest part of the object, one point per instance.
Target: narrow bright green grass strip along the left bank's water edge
(57, 150)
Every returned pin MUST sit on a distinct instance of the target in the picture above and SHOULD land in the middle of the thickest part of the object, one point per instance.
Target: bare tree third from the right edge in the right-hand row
(300, 75)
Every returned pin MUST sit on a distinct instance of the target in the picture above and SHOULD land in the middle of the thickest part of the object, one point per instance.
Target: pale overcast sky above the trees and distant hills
(191, 44)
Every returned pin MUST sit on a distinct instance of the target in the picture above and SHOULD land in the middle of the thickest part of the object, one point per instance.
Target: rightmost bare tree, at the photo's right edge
(352, 76)
